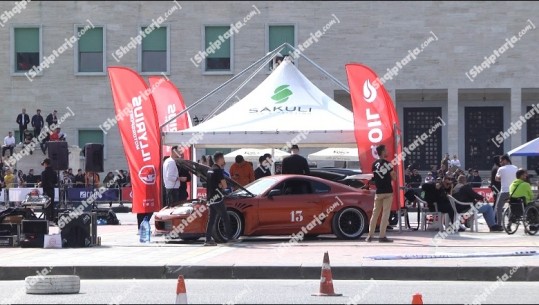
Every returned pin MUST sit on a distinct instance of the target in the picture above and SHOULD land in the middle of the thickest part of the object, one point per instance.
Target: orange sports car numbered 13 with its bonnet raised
(294, 205)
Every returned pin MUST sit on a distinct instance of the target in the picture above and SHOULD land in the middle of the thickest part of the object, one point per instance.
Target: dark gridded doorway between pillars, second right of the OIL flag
(481, 125)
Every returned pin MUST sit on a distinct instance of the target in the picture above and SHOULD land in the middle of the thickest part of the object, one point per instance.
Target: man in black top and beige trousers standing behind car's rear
(384, 195)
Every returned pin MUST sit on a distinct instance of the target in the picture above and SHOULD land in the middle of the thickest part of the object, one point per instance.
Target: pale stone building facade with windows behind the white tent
(468, 65)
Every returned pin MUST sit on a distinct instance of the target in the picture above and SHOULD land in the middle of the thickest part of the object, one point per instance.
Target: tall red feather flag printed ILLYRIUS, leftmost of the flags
(139, 130)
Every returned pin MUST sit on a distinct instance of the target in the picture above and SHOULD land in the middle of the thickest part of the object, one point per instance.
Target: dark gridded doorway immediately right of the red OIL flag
(416, 122)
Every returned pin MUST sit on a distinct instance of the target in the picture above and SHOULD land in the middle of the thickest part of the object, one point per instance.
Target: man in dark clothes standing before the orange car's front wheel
(215, 195)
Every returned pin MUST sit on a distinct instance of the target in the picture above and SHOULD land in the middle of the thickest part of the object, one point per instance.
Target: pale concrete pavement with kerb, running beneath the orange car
(121, 256)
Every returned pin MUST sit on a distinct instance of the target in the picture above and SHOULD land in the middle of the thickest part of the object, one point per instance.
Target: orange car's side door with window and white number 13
(288, 212)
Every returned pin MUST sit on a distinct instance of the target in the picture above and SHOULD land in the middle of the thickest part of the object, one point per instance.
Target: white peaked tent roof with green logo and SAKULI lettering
(286, 106)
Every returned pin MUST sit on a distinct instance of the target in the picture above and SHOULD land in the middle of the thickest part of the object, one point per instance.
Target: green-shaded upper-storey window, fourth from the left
(219, 58)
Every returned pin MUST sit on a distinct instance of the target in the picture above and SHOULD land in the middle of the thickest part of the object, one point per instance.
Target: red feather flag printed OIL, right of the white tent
(375, 120)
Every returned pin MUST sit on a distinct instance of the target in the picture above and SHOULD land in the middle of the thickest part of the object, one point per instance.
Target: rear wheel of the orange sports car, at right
(349, 223)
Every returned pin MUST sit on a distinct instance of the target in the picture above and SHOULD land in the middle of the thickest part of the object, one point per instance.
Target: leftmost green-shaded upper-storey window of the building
(27, 48)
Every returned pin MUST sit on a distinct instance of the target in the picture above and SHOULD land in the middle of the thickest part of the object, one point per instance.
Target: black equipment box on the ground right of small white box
(78, 231)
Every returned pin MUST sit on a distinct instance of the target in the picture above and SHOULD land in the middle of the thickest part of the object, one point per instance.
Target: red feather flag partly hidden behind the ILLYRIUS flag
(168, 103)
